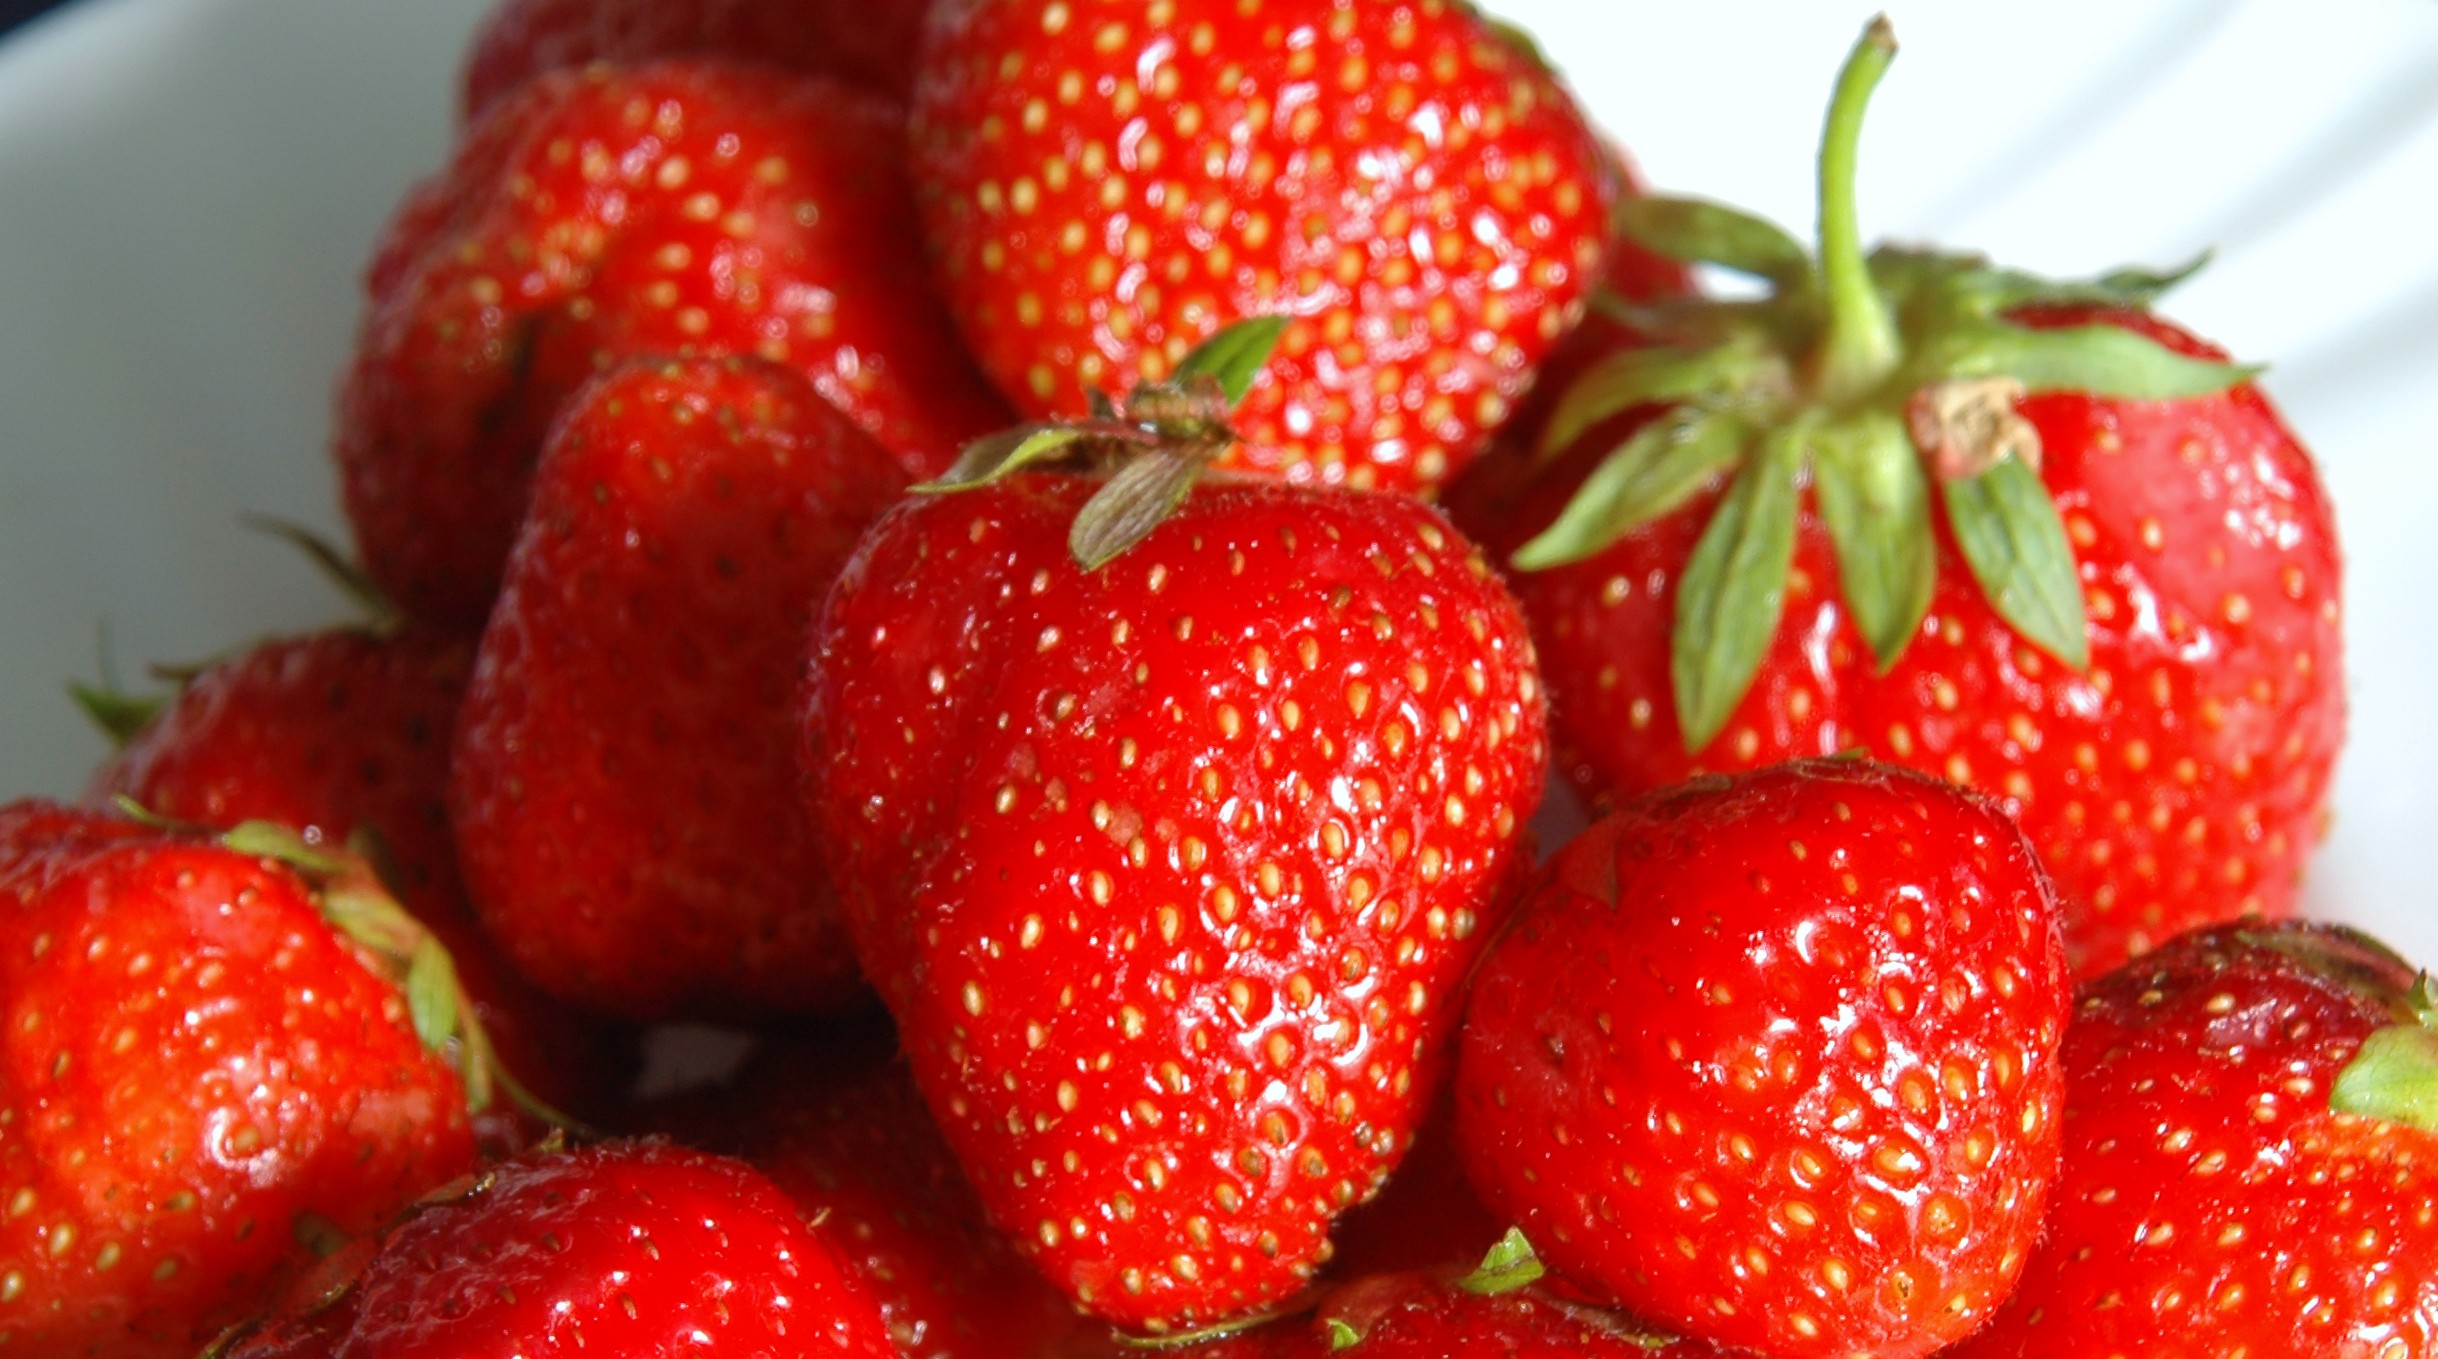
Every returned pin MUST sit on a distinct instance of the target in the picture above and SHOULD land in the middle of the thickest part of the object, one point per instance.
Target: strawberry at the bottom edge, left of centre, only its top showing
(625, 1248)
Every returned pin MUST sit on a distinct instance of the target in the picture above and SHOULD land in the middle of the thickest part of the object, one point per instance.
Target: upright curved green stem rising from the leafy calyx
(1861, 345)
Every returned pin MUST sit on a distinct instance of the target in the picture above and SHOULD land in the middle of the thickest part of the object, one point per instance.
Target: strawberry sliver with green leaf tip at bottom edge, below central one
(1449, 1314)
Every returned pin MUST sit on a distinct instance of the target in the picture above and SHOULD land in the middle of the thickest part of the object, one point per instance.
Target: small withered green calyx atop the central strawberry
(1154, 445)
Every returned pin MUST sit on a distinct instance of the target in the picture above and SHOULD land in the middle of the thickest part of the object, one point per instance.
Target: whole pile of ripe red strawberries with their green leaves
(911, 528)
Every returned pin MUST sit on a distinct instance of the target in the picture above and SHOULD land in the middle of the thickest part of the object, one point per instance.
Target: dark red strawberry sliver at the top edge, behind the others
(859, 45)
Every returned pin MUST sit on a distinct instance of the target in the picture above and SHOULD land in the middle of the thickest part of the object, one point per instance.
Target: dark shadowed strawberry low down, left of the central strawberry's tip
(852, 1143)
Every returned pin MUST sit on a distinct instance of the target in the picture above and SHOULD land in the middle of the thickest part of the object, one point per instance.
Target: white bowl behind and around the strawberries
(191, 187)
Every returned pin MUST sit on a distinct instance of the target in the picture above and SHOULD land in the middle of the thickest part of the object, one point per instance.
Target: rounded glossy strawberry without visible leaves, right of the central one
(1776, 1060)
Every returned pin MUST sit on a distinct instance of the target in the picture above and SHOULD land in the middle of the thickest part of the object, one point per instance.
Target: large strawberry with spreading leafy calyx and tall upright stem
(2013, 533)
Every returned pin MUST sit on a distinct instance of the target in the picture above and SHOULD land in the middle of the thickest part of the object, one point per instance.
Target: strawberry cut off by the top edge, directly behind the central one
(1108, 187)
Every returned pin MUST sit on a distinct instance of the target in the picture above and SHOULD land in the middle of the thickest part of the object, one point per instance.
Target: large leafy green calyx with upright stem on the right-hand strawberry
(1881, 382)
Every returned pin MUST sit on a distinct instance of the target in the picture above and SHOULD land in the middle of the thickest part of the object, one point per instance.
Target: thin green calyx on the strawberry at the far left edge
(357, 902)
